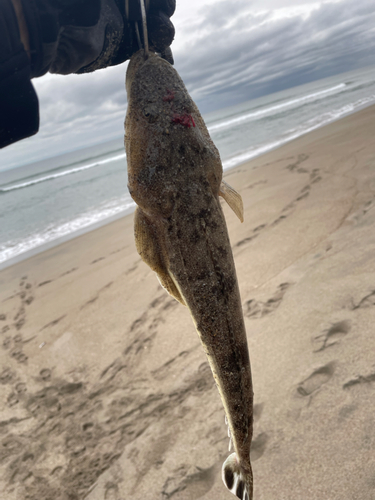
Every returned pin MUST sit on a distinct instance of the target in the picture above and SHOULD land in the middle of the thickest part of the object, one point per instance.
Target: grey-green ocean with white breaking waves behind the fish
(53, 200)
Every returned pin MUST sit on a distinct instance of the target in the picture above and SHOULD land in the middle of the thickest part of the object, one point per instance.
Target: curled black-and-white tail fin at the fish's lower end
(236, 479)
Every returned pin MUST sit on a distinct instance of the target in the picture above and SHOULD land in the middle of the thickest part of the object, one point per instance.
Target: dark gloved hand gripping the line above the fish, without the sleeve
(80, 36)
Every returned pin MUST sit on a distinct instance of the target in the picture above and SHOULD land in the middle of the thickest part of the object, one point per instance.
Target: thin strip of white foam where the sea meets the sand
(92, 227)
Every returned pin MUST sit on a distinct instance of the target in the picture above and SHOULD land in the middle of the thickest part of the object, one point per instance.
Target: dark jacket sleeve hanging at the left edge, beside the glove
(19, 108)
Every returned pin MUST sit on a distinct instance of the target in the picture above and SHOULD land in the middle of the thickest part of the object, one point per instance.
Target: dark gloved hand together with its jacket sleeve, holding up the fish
(66, 36)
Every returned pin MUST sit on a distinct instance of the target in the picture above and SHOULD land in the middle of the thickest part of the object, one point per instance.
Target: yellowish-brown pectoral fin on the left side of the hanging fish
(150, 249)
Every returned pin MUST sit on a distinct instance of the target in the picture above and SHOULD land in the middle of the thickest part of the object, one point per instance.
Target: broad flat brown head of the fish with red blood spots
(169, 151)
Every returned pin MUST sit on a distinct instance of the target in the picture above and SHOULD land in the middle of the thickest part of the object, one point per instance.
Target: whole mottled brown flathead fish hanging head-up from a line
(175, 178)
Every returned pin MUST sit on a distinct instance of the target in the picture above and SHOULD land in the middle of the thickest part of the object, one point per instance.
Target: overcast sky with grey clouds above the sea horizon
(226, 51)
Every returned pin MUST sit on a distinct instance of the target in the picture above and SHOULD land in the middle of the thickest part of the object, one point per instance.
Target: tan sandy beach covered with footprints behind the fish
(105, 390)
